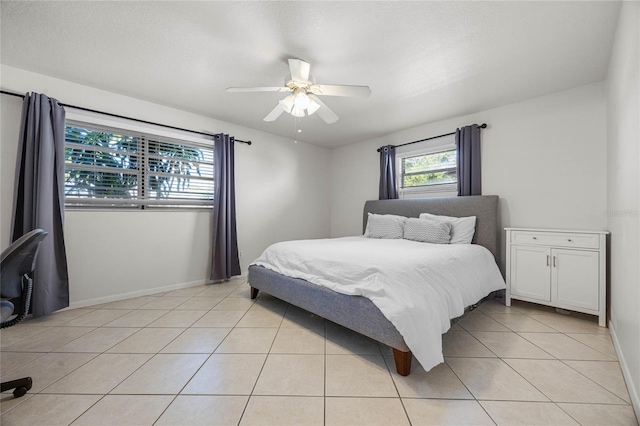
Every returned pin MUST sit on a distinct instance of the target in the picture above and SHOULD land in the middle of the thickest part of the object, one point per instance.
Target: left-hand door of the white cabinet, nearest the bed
(530, 275)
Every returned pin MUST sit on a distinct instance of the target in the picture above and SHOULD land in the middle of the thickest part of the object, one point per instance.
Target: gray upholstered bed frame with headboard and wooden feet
(359, 313)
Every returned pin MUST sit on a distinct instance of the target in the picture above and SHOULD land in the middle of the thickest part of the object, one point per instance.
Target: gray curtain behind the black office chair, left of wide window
(38, 200)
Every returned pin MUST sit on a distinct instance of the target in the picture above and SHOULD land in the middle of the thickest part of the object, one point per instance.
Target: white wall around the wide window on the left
(281, 194)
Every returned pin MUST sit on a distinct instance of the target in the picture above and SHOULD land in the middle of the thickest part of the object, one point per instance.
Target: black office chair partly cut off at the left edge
(18, 262)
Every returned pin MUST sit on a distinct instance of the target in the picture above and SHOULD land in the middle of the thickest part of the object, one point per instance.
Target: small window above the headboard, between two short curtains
(429, 170)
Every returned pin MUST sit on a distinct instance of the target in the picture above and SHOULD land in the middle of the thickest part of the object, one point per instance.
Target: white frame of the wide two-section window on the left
(148, 132)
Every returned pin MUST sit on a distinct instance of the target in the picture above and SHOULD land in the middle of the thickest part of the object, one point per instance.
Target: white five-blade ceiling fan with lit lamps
(304, 93)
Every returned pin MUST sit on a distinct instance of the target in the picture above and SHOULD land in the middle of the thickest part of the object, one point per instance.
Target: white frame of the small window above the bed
(433, 146)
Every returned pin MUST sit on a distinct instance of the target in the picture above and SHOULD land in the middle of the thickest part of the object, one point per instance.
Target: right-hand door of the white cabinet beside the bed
(575, 276)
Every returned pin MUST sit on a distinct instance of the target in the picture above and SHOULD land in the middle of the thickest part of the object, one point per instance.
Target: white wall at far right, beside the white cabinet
(623, 194)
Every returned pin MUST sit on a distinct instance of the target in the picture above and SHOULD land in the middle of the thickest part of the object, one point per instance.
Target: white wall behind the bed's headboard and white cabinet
(545, 158)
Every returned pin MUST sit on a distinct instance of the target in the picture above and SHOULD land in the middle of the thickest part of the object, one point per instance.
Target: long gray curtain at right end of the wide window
(225, 261)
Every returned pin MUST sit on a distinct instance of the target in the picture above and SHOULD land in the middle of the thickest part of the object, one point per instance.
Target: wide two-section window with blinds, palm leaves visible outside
(107, 166)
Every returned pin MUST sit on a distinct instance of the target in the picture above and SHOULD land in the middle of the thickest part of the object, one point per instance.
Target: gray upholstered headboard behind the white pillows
(484, 207)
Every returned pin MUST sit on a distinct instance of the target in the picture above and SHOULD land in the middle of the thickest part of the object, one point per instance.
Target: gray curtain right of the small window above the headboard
(468, 150)
